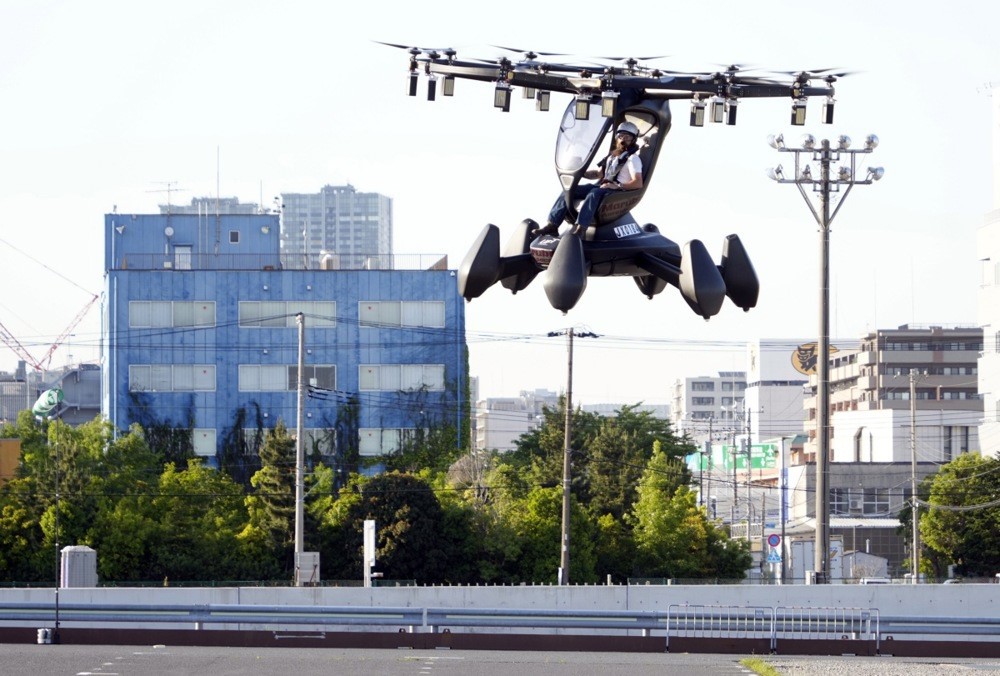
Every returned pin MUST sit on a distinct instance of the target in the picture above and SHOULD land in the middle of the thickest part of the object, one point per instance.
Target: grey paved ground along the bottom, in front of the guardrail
(87, 660)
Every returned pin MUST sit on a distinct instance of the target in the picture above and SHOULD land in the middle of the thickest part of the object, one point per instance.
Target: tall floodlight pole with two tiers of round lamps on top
(832, 176)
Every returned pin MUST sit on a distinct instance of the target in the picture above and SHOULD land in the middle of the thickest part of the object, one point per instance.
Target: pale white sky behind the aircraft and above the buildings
(104, 102)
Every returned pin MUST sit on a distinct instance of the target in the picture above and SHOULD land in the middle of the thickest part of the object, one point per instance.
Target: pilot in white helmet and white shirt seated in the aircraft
(620, 170)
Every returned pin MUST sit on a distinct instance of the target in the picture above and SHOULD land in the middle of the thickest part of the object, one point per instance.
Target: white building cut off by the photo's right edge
(988, 248)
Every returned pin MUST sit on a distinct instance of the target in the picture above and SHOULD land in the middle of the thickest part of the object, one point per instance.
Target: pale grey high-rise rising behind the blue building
(334, 226)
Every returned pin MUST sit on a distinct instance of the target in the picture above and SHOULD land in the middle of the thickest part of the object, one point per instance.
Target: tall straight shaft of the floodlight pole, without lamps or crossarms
(823, 369)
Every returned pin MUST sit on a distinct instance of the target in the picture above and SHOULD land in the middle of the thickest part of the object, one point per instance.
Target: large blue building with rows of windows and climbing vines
(201, 333)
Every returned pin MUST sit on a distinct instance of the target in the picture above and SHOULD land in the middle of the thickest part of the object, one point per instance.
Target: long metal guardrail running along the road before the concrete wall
(772, 624)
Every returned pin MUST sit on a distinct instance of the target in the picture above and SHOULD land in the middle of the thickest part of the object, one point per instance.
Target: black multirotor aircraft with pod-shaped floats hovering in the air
(604, 99)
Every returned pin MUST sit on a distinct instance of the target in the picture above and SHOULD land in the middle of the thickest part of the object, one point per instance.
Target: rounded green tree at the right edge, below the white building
(963, 522)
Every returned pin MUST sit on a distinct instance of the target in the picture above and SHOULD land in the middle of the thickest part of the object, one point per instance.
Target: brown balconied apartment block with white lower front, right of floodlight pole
(870, 396)
